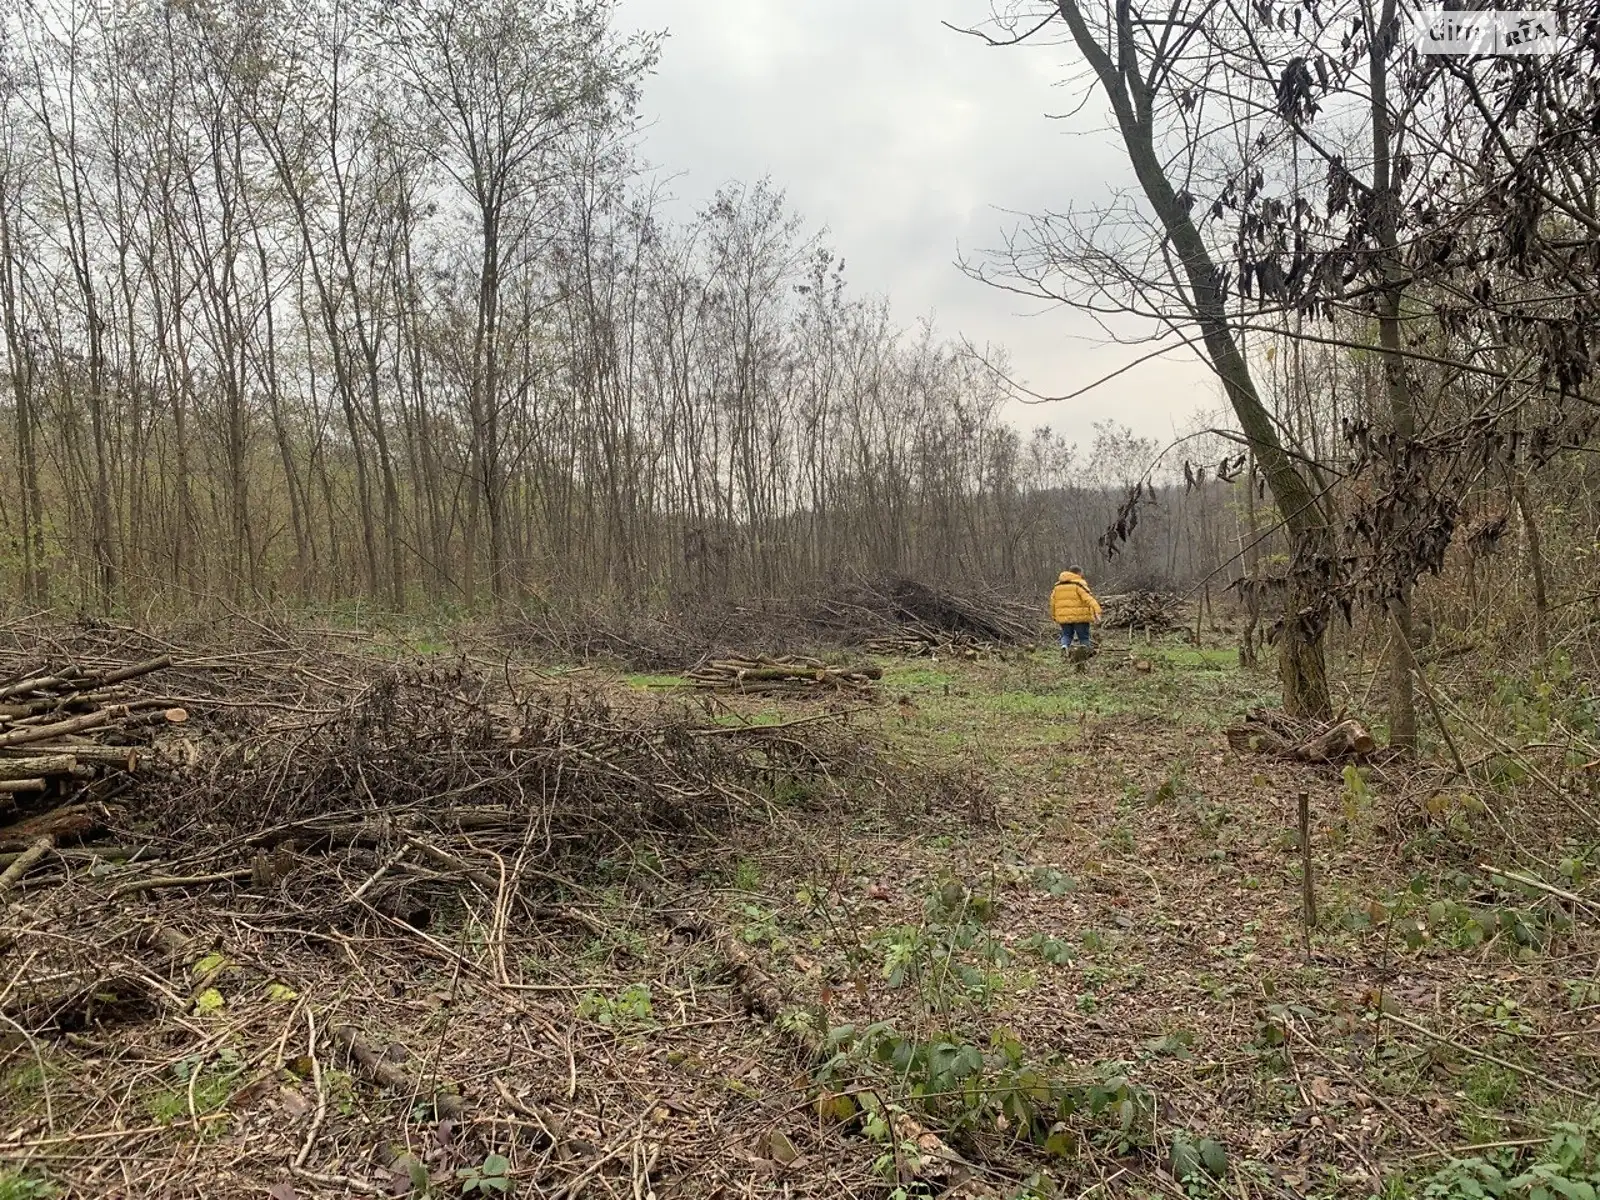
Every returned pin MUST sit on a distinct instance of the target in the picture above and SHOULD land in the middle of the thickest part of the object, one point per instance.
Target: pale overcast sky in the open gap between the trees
(911, 145)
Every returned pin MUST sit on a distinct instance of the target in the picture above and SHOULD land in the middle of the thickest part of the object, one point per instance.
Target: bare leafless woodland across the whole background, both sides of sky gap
(322, 303)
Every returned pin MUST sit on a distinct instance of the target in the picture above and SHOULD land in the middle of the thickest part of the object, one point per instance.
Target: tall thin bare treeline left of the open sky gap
(329, 302)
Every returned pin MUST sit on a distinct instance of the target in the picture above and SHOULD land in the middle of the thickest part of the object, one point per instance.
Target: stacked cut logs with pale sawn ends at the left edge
(62, 730)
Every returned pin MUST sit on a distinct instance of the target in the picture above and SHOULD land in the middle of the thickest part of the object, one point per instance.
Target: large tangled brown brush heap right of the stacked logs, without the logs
(423, 791)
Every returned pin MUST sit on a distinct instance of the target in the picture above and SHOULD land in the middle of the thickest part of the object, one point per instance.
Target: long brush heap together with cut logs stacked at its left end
(353, 759)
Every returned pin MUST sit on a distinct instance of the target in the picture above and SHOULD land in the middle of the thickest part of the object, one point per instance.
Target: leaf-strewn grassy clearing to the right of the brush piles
(1134, 913)
